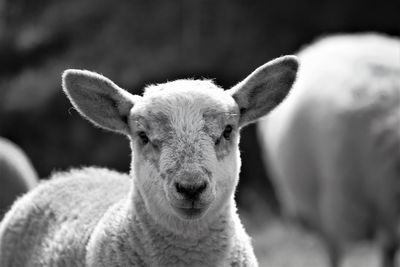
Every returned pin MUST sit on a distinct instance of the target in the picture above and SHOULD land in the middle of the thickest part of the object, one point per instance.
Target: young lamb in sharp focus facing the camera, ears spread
(176, 207)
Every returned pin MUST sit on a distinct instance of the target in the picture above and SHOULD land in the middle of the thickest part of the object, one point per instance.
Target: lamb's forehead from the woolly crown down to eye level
(184, 106)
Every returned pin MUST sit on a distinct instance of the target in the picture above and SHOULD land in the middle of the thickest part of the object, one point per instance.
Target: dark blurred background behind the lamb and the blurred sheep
(139, 42)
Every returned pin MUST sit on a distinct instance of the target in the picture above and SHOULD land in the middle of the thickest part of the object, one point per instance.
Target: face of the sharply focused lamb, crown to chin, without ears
(185, 147)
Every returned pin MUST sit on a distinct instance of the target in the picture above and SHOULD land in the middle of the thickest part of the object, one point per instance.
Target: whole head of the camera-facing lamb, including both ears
(184, 134)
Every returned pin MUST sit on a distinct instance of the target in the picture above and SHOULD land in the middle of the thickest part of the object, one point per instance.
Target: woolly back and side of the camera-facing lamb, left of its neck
(52, 224)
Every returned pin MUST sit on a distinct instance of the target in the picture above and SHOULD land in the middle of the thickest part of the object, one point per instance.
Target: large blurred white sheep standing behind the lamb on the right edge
(333, 145)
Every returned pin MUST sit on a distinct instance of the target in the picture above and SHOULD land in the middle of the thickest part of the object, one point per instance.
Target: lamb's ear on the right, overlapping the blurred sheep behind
(265, 88)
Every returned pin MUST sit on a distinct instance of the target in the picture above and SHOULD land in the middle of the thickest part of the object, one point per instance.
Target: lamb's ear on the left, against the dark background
(98, 99)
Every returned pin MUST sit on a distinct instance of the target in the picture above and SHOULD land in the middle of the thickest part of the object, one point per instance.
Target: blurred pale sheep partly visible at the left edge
(17, 174)
